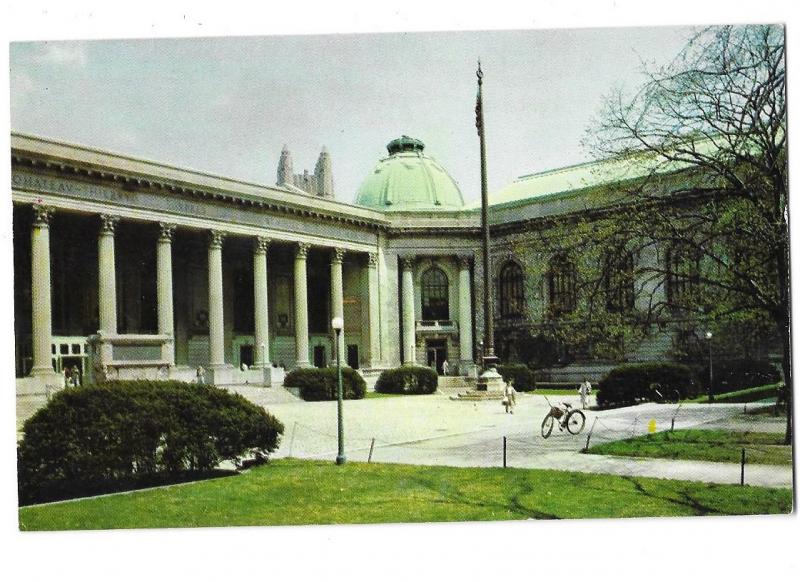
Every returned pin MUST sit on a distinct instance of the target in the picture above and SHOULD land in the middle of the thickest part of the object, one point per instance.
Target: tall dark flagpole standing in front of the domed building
(489, 358)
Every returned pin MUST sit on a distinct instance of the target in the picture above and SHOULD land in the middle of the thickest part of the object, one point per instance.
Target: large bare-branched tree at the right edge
(705, 139)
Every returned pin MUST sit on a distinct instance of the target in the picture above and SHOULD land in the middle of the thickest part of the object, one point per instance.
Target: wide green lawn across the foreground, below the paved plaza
(294, 492)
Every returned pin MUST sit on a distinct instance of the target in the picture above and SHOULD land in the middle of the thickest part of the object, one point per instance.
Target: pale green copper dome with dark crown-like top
(409, 180)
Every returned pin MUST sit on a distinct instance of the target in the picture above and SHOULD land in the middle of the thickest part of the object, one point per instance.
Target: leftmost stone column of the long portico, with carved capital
(42, 324)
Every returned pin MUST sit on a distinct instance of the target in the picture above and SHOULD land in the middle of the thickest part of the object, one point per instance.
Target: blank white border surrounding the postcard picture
(644, 549)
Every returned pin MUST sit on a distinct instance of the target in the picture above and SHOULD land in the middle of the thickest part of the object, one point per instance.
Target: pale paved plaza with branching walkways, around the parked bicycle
(435, 430)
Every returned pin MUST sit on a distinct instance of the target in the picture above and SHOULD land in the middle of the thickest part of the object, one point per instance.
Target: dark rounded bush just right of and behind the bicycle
(630, 383)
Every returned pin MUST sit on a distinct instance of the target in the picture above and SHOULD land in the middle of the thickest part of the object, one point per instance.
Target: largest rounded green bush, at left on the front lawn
(123, 431)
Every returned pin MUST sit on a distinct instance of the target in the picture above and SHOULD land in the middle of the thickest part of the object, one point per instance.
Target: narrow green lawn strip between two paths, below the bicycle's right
(703, 445)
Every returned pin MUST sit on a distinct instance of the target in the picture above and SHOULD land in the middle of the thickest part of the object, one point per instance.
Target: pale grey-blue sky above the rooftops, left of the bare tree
(228, 105)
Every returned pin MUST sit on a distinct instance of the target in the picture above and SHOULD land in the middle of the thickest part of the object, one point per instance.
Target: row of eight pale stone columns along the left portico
(107, 295)
